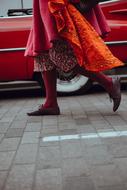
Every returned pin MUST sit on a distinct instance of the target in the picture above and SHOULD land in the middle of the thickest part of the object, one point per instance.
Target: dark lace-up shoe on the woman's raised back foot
(115, 93)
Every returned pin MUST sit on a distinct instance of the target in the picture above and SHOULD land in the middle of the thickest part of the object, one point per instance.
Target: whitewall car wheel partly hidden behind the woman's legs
(69, 83)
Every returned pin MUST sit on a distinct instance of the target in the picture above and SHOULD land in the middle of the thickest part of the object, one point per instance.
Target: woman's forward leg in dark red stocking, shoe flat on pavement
(50, 107)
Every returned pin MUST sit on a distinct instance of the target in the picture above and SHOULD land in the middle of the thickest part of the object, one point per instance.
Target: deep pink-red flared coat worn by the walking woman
(43, 30)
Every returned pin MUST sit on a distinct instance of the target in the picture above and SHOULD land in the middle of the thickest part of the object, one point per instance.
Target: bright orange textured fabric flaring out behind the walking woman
(90, 50)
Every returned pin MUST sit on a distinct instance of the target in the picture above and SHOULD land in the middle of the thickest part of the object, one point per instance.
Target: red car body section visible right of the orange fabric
(116, 14)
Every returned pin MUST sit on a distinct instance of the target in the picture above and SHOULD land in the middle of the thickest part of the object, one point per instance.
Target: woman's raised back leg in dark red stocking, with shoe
(112, 86)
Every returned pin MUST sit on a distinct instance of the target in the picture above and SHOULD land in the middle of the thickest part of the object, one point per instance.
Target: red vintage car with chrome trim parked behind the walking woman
(14, 31)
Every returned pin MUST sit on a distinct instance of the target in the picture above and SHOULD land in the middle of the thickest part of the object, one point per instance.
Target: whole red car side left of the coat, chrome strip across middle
(14, 33)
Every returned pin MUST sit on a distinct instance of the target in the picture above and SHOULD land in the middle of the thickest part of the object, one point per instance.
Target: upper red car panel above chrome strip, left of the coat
(14, 31)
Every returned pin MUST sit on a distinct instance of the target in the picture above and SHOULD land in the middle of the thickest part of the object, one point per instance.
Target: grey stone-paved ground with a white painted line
(85, 148)
